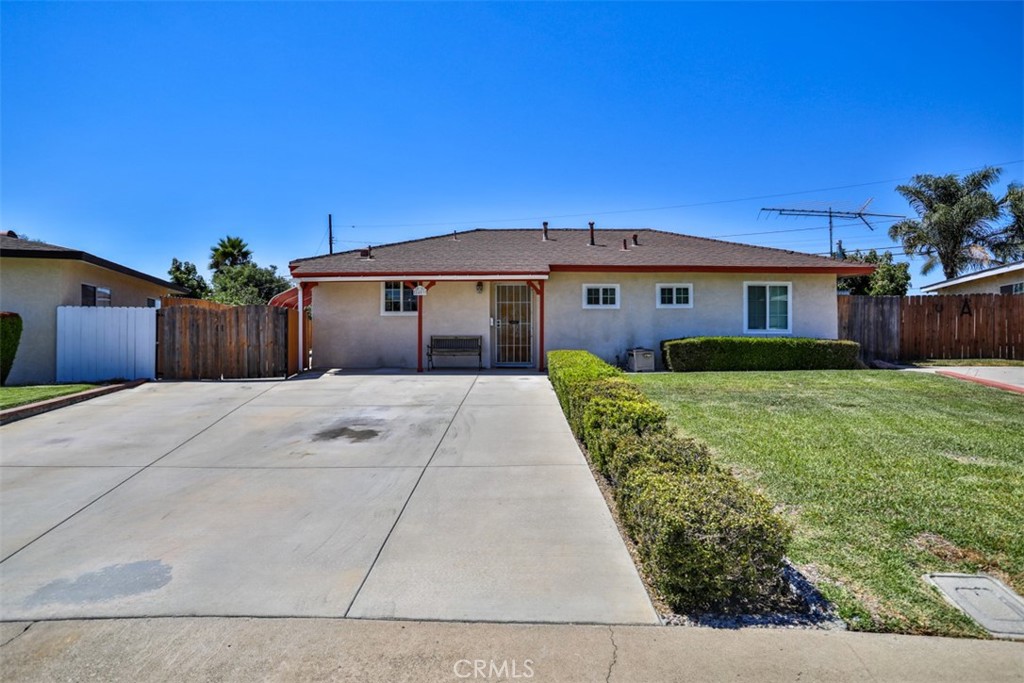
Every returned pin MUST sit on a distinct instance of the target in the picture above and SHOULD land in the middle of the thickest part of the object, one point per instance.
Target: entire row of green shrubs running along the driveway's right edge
(707, 542)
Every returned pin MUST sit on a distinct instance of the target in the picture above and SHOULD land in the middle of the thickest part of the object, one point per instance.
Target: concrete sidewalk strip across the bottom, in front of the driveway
(310, 650)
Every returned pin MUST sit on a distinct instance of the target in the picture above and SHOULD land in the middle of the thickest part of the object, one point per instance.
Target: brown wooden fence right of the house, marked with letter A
(971, 326)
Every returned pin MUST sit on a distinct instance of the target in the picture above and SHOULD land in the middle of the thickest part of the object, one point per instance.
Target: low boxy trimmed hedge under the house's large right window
(727, 354)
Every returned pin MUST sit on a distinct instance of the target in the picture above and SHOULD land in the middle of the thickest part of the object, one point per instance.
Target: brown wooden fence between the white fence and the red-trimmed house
(197, 343)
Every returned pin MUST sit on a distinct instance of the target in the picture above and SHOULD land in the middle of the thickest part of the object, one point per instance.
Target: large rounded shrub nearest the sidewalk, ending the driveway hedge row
(706, 541)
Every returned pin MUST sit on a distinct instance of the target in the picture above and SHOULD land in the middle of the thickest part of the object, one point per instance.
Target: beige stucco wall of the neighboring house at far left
(35, 287)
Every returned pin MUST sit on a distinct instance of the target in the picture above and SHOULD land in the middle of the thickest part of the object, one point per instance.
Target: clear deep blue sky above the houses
(147, 132)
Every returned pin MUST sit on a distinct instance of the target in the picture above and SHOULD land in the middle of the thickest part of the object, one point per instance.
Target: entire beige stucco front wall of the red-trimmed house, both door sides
(350, 331)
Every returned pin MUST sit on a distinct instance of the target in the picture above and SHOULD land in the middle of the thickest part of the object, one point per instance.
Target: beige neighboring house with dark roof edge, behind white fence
(36, 278)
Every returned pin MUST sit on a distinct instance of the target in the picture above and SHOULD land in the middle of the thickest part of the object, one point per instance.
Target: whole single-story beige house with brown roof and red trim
(525, 291)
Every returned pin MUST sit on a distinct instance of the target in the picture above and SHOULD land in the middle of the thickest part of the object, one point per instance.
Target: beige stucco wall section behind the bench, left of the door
(351, 332)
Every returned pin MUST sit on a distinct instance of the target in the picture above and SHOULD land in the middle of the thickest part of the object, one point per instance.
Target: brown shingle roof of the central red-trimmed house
(524, 251)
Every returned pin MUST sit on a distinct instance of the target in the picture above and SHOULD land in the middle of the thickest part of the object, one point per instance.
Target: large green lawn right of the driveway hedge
(885, 476)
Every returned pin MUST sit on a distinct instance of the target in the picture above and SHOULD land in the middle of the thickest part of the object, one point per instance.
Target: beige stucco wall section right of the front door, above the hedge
(718, 310)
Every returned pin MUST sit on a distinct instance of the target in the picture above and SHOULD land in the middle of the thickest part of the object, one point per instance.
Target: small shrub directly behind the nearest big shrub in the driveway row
(660, 452)
